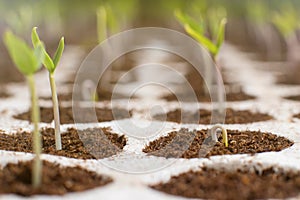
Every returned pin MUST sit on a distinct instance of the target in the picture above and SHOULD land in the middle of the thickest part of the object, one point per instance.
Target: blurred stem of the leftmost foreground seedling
(37, 147)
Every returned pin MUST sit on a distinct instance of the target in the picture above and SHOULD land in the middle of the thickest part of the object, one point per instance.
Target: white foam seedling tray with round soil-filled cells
(135, 186)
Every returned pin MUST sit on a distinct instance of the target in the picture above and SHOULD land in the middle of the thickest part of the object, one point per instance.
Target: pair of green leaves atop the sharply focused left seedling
(48, 62)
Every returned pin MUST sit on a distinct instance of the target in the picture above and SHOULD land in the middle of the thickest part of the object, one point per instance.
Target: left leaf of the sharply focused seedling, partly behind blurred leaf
(48, 63)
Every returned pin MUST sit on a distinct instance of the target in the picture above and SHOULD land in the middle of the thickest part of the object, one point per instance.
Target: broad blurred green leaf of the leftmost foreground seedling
(22, 55)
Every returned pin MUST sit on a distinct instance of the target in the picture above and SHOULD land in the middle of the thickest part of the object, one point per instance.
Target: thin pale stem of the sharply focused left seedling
(55, 112)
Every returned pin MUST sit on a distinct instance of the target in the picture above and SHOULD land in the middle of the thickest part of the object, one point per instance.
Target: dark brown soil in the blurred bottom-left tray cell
(56, 180)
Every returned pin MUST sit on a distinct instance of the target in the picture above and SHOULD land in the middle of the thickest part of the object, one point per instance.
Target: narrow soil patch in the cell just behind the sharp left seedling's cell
(66, 115)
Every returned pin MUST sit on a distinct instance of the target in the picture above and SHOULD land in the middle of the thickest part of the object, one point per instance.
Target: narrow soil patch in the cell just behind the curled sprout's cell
(204, 116)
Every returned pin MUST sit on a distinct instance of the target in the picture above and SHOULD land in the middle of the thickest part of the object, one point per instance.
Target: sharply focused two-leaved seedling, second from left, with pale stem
(51, 64)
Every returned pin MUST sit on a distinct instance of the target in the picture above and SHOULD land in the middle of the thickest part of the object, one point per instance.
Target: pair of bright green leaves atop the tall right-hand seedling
(197, 31)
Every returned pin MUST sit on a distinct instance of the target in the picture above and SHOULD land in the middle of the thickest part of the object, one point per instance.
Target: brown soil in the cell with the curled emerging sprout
(190, 144)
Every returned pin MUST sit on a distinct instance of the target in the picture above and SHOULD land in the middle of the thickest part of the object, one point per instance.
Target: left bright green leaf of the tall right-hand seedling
(211, 47)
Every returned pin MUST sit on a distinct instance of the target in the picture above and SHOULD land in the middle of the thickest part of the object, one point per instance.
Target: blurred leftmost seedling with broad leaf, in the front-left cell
(28, 61)
